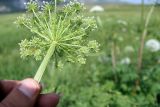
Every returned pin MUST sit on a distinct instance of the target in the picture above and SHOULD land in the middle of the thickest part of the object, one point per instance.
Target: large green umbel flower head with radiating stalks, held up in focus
(65, 30)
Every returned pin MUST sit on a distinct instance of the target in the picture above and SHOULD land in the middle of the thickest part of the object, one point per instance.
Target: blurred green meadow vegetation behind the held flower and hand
(108, 79)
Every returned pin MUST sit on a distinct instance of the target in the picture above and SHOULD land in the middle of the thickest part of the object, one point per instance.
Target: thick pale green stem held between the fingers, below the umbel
(44, 63)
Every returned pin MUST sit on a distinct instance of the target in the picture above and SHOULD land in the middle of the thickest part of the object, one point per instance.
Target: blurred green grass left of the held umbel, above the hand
(12, 66)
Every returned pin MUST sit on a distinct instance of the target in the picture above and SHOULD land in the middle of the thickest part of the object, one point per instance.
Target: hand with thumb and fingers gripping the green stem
(25, 93)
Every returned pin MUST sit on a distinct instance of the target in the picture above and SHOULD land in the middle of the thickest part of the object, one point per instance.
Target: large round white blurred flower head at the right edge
(153, 45)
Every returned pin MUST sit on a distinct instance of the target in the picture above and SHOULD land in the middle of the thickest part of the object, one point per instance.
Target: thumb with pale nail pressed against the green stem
(23, 95)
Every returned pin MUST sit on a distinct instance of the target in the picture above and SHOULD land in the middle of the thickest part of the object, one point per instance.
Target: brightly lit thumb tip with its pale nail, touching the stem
(29, 88)
